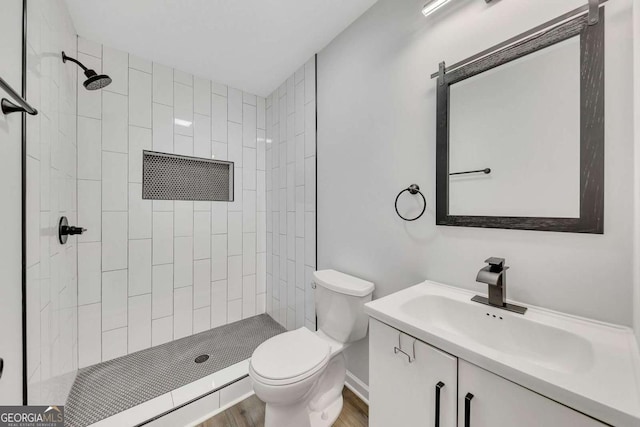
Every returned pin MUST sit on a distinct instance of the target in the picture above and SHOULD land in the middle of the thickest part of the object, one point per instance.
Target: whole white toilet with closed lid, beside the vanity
(300, 374)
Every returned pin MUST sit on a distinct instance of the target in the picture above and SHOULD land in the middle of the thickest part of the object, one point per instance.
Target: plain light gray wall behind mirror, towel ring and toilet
(376, 135)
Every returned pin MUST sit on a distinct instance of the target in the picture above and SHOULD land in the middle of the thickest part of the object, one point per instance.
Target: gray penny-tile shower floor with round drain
(108, 388)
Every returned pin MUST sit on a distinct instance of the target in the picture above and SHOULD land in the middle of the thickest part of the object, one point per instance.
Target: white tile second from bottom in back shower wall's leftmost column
(89, 273)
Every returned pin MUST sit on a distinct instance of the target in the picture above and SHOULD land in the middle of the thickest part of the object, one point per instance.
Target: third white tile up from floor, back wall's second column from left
(114, 241)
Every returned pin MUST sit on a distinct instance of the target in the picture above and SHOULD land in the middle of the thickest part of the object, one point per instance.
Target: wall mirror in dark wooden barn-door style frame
(521, 134)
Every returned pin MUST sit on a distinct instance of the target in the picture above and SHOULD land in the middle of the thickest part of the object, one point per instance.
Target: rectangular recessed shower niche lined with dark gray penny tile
(176, 177)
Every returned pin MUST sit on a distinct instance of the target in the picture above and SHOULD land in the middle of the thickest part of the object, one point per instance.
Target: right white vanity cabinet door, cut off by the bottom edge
(497, 402)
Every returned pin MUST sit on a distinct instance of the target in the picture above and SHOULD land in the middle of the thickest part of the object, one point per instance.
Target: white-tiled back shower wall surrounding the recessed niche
(154, 271)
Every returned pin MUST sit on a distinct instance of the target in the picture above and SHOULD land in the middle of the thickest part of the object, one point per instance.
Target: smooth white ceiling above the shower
(252, 45)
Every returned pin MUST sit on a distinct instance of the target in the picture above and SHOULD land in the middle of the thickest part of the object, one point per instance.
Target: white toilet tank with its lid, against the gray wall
(340, 301)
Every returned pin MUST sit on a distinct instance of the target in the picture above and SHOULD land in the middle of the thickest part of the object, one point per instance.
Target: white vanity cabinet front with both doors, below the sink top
(414, 384)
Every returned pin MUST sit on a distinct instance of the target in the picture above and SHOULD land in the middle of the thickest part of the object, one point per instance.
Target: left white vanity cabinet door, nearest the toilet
(403, 387)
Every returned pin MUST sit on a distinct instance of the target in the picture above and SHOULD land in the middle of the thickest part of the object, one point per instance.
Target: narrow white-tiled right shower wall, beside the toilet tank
(291, 199)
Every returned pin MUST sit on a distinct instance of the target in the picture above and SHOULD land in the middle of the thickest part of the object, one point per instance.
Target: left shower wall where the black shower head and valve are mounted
(52, 312)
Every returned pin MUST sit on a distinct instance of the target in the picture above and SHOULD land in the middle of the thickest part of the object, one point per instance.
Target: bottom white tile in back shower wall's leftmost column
(89, 335)
